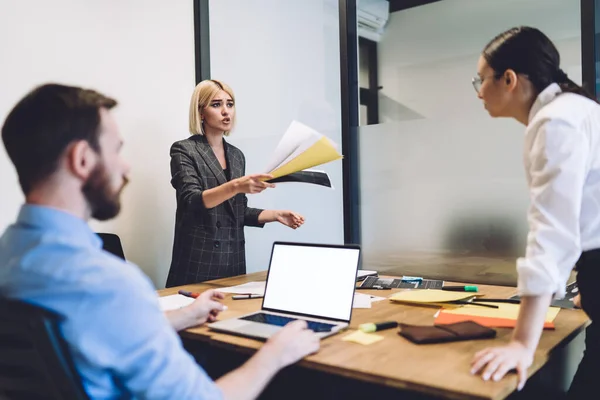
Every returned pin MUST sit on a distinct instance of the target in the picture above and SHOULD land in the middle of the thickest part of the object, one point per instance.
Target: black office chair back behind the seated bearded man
(35, 362)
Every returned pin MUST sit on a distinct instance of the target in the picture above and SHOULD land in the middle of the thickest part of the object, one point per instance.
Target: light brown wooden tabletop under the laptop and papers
(436, 370)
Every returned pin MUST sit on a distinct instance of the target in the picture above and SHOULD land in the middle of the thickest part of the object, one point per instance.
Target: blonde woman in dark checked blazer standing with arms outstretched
(208, 175)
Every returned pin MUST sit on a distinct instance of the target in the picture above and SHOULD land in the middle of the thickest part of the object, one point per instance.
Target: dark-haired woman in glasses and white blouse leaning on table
(519, 76)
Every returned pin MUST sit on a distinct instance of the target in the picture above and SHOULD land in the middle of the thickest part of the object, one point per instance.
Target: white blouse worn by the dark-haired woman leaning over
(562, 164)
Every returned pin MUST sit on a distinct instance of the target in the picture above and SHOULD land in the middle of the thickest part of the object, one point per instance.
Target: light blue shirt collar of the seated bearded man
(60, 223)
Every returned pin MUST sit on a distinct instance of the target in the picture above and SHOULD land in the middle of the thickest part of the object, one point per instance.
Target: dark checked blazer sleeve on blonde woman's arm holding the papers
(185, 179)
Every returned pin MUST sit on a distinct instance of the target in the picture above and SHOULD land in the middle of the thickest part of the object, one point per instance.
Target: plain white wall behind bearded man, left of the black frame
(138, 51)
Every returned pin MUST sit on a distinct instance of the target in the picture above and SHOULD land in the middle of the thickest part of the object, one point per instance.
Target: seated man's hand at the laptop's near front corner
(292, 343)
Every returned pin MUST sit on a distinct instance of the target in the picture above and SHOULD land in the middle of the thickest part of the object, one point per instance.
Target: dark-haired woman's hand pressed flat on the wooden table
(495, 362)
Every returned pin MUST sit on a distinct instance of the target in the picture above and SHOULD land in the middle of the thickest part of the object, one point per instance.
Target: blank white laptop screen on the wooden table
(313, 280)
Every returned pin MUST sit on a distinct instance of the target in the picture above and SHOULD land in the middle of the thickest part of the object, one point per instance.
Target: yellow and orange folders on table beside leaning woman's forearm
(505, 316)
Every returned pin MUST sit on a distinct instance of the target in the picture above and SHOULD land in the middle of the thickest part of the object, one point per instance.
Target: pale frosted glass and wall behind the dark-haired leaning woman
(452, 175)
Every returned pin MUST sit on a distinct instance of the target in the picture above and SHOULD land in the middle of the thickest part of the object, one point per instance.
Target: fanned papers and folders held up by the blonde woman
(301, 148)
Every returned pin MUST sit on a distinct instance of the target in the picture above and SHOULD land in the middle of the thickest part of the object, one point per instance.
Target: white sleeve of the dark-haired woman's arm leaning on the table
(556, 163)
